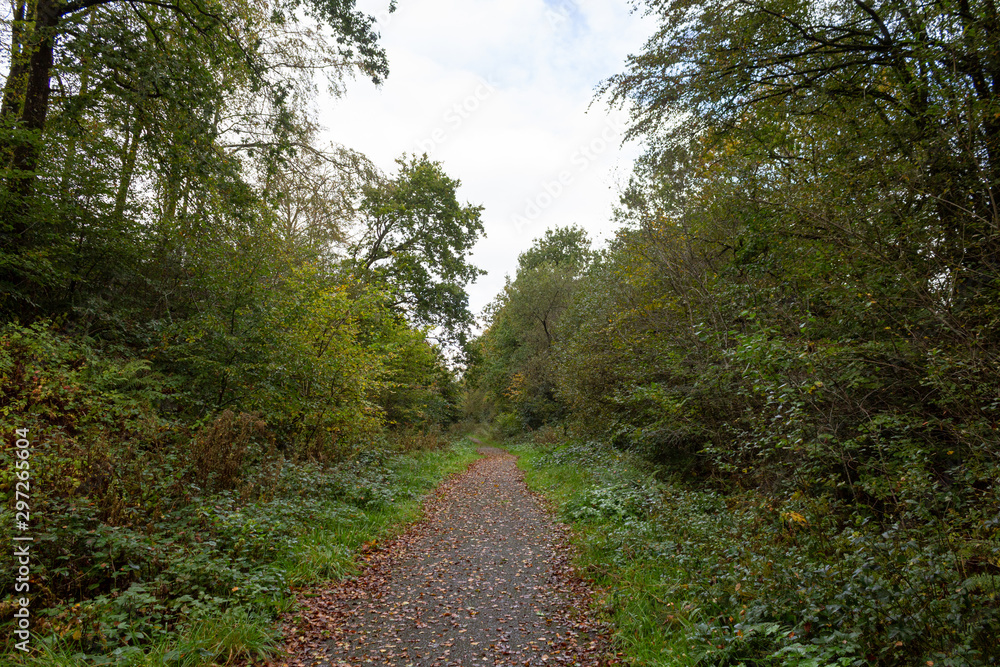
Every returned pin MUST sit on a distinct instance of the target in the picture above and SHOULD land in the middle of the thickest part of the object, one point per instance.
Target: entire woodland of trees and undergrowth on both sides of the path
(768, 407)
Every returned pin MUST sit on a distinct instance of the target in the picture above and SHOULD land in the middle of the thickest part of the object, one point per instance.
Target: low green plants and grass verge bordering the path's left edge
(205, 581)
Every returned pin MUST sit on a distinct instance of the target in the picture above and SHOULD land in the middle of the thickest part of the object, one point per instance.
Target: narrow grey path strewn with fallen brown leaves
(484, 580)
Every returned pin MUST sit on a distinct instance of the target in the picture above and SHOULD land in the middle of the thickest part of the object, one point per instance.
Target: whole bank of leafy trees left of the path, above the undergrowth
(177, 210)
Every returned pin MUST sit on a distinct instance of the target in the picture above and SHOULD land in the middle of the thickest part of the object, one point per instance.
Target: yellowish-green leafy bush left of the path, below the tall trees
(304, 356)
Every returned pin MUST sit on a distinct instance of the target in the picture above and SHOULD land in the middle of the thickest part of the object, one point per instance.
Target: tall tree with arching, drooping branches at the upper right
(907, 93)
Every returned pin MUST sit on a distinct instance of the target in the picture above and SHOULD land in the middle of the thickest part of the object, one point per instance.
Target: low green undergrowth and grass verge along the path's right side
(696, 577)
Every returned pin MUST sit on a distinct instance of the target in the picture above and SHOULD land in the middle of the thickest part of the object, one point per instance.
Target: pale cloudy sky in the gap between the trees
(500, 92)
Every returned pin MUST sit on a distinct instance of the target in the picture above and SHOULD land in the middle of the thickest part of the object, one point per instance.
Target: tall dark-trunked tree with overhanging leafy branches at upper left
(193, 81)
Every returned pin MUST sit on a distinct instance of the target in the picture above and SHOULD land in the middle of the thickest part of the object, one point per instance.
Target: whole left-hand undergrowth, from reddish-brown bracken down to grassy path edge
(163, 543)
